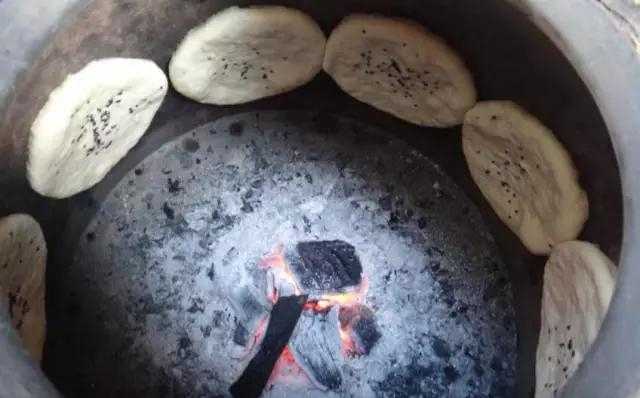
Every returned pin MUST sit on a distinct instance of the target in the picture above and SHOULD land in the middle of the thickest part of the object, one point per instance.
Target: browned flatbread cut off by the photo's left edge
(23, 257)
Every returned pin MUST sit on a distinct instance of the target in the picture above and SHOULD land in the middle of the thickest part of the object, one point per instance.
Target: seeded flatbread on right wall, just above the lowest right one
(525, 173)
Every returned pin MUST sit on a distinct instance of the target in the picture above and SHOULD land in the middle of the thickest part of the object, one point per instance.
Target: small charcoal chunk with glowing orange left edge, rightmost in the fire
(359, 328)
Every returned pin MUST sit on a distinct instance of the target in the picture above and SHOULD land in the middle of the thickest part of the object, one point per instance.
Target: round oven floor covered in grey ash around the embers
(155, 295)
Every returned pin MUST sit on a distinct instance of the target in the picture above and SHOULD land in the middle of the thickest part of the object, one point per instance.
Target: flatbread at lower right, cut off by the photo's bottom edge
(579, 281)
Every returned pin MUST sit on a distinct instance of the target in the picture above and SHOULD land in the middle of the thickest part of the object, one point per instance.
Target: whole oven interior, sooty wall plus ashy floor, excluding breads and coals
(209, 186)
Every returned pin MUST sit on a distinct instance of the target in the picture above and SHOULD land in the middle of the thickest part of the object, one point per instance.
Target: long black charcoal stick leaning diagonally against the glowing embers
(283, 320)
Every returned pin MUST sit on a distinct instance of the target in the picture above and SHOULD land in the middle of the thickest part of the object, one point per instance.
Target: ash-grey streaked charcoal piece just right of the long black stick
(316, 347)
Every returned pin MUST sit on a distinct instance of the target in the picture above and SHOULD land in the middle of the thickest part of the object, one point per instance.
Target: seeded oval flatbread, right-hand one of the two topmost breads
(397, 66)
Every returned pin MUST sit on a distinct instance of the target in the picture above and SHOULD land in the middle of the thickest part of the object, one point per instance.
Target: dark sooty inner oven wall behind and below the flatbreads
(509, 58)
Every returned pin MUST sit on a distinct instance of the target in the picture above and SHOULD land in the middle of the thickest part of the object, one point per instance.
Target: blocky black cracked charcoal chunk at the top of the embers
(326, 265)
